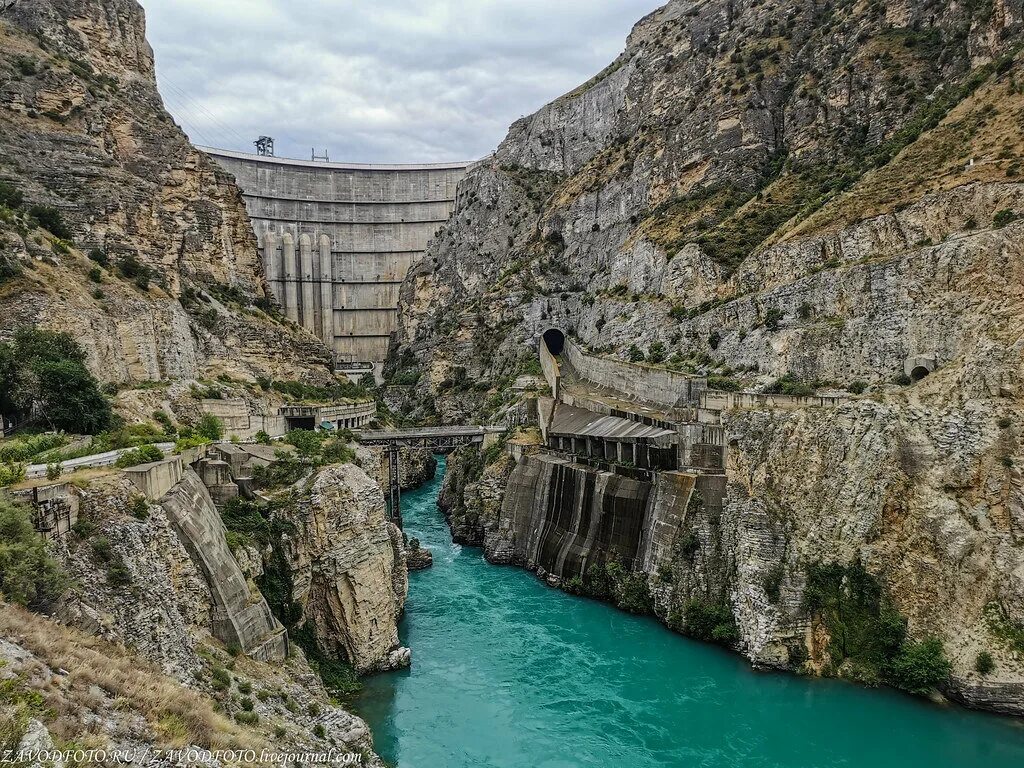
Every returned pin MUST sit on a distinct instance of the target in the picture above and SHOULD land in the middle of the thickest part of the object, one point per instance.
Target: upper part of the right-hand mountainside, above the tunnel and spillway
(748, 185)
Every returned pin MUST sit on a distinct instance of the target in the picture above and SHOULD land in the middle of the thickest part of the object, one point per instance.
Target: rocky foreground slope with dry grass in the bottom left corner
(149, 609)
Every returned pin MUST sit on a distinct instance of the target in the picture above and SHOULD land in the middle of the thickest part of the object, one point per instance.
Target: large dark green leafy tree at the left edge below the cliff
(44, 376)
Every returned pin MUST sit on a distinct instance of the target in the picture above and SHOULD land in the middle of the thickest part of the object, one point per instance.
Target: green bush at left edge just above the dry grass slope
(28, 575)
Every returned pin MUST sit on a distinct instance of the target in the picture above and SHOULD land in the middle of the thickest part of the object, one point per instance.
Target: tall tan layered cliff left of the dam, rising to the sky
(175, 282)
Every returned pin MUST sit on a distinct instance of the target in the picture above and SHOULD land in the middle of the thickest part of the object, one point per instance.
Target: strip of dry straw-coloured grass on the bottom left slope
(176, 715)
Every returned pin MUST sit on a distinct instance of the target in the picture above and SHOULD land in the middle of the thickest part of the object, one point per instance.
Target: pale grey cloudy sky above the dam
(400, 81)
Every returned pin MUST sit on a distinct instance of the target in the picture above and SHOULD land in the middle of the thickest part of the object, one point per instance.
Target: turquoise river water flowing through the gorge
(507, 672)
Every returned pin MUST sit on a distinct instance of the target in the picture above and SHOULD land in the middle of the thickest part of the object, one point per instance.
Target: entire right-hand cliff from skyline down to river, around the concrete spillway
(823, 194)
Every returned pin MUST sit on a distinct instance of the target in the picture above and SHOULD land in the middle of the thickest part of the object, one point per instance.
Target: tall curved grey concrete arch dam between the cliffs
(337, 240)
